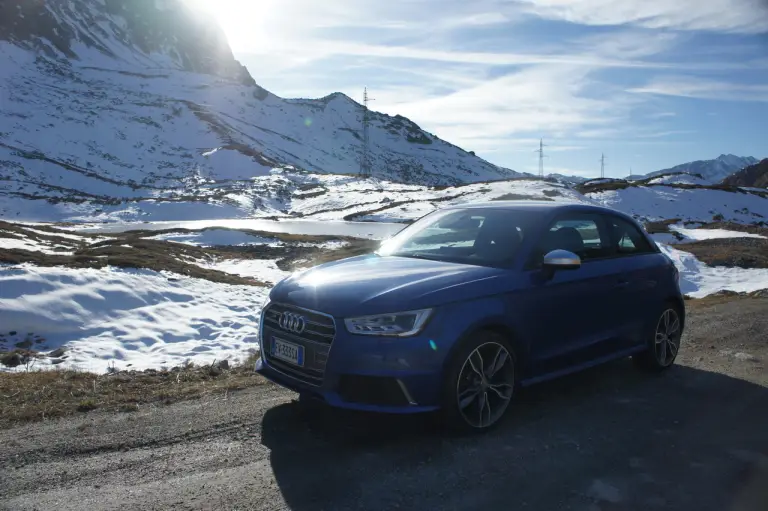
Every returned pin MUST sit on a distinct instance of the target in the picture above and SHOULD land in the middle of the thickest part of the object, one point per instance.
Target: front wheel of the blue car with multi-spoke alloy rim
(476, 394)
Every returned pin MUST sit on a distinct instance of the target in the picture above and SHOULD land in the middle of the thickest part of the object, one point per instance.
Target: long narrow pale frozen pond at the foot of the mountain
(368, 230)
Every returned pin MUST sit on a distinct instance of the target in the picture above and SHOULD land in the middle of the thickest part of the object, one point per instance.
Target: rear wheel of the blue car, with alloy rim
(663, 341)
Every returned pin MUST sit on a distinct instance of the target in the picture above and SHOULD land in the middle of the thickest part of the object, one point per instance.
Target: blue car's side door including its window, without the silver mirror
(572, 314)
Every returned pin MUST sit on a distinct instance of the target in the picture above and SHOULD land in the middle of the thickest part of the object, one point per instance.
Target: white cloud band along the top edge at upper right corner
(742, 16)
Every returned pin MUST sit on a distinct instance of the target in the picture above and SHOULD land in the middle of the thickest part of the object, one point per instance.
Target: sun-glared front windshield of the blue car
(482, 236)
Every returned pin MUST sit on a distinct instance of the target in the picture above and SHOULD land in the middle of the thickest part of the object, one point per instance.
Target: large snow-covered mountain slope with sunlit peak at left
(111, 100)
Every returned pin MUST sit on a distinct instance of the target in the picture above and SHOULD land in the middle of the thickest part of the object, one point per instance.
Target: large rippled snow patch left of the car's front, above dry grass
(129, 319)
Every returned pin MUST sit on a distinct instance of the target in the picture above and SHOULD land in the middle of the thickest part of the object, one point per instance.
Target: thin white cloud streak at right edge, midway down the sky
(696, 87)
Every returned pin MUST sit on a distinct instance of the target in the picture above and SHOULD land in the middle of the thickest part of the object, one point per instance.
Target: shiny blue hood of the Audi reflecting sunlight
(373, 284)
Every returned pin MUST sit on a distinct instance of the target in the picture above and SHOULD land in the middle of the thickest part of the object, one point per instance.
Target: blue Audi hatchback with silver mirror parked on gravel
(469, 303)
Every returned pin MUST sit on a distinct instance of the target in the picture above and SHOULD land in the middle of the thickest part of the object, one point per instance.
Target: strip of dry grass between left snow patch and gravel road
(37, 395)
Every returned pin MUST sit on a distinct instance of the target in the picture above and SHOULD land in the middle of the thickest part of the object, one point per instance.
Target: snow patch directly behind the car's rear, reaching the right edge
(699, 280)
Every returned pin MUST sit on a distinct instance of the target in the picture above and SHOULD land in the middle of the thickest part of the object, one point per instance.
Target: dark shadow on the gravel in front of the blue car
(607, 438)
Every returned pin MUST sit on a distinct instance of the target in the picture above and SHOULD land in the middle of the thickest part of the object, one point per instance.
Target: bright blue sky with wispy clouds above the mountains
(648, 83)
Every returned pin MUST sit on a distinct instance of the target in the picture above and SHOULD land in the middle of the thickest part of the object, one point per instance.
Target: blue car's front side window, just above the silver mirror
(582, 235)
